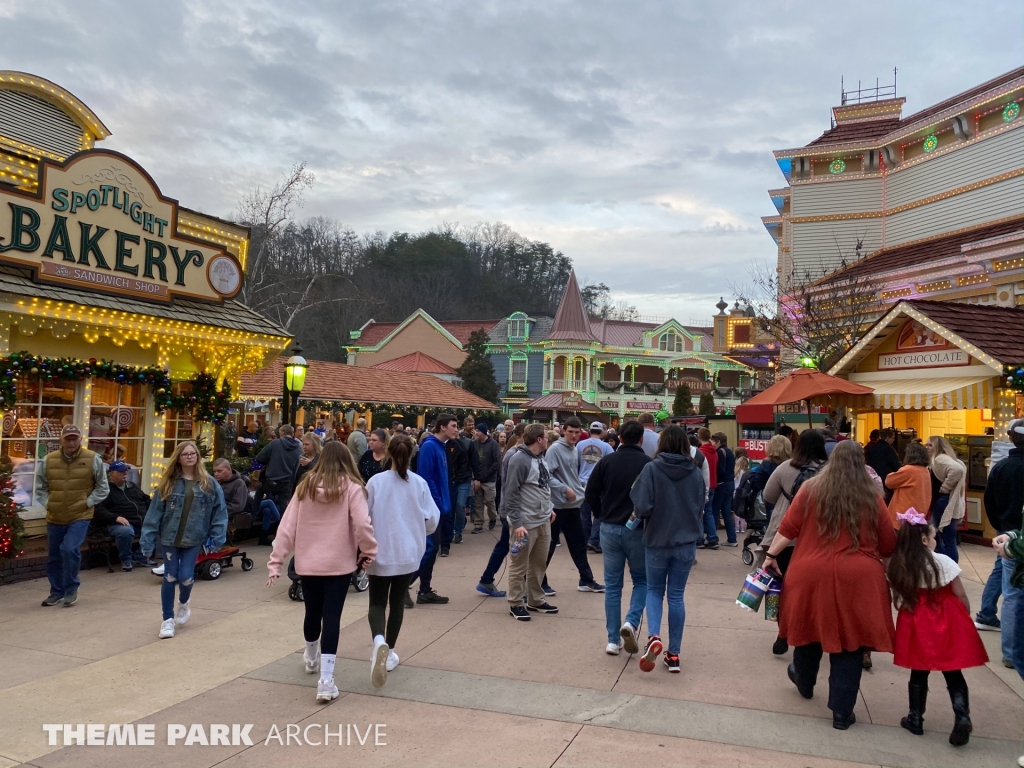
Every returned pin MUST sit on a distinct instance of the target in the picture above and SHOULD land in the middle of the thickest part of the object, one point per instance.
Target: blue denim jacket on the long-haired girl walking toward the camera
(207, 519)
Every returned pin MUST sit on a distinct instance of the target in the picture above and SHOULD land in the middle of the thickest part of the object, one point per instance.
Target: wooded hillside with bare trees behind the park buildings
(321, 280)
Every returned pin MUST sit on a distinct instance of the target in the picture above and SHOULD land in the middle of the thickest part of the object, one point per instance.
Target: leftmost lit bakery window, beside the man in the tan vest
(33, 430)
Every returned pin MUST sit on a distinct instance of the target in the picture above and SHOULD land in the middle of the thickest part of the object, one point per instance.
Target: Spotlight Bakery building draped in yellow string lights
(117, 306)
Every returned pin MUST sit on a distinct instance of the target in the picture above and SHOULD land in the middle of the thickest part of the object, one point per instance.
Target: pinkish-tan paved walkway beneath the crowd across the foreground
(475, 688)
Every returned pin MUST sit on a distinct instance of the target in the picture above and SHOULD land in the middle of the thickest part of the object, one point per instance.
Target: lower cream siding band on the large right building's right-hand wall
(970, 209)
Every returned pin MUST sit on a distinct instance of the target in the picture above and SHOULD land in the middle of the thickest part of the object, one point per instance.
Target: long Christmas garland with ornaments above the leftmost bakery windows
(72, 369)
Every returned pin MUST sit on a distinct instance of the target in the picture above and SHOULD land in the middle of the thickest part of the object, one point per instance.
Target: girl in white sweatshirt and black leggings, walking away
(404, 515)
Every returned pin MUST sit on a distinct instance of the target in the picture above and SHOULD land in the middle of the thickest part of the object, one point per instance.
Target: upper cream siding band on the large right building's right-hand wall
(960, 168)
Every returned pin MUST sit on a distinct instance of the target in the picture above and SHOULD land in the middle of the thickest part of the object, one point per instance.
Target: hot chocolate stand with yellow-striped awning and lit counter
(943, 369)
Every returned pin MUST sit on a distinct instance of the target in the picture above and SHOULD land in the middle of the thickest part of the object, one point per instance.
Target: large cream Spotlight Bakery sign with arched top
(100, 223)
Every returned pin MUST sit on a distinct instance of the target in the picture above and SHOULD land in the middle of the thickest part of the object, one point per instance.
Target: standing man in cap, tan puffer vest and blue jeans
(70, 483)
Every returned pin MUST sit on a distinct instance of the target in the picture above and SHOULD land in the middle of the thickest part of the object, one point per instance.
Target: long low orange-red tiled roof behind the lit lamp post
(336, 381)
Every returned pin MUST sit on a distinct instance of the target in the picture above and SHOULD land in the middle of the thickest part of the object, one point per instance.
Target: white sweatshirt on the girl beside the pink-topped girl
(404, 515)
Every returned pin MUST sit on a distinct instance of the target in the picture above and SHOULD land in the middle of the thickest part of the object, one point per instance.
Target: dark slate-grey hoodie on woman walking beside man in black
(669, 497)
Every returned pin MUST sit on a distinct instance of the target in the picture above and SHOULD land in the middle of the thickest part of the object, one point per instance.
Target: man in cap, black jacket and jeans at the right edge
(1004, 501)
